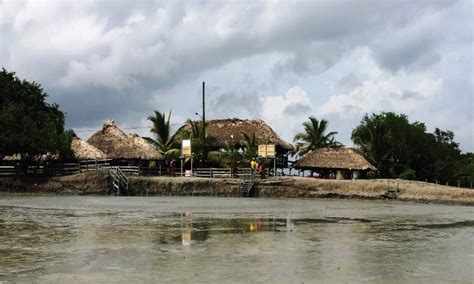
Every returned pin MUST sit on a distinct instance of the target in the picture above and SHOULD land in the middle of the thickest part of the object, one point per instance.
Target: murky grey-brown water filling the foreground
(104, 239)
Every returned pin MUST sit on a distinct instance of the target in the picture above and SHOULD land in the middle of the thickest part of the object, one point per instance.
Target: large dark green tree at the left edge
(28, 124)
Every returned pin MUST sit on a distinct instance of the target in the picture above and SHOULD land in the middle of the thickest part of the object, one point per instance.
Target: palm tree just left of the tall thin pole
(162, 131)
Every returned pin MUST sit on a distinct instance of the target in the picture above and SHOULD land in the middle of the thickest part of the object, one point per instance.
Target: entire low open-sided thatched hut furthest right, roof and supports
(344, 162)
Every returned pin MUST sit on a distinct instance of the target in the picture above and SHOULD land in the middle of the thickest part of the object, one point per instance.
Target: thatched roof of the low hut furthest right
(334, 158)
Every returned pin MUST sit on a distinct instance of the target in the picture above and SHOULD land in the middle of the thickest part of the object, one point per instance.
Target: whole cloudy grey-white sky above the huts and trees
(281, 61)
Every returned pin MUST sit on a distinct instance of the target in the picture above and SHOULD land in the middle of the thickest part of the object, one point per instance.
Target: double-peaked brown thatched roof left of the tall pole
(117, 145)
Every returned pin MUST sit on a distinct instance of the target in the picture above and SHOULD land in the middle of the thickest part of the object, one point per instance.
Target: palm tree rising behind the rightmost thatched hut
(314, 137)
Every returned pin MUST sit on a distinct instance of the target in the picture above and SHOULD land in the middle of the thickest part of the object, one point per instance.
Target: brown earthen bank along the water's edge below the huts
(289, 187)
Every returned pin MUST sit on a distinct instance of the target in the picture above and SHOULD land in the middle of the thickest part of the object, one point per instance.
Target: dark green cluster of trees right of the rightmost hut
(403, 149)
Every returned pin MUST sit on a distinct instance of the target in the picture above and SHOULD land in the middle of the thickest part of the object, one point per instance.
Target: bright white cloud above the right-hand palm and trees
(382, 91)
